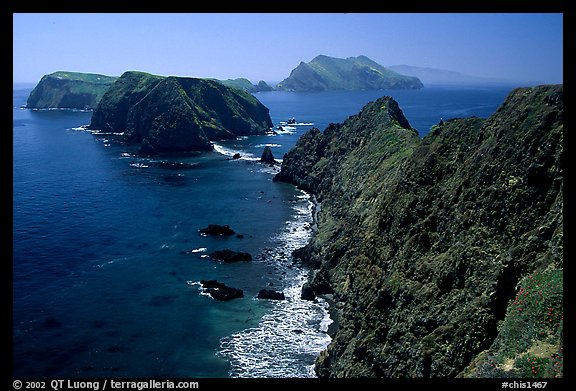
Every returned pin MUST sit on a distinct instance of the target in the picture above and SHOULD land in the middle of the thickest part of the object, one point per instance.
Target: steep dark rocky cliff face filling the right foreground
(422, 242)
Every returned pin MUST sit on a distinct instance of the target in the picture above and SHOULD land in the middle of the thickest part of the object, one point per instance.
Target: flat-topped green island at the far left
(69, 90)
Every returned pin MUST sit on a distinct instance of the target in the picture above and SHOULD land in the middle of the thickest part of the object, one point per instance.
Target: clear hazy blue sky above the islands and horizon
(524, 46)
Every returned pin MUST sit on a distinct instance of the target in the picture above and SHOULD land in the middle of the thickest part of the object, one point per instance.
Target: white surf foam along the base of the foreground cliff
(292, 334)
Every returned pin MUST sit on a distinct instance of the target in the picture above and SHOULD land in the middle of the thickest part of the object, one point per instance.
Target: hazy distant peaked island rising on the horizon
(325, 73)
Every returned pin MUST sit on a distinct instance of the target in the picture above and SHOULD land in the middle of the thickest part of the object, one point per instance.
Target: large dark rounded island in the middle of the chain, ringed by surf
(166, 114)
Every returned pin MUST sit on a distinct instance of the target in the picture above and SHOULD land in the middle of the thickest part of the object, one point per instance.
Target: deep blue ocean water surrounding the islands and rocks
(104, 282)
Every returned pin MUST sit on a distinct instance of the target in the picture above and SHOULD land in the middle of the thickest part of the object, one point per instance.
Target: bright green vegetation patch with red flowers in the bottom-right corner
(530, 338)
